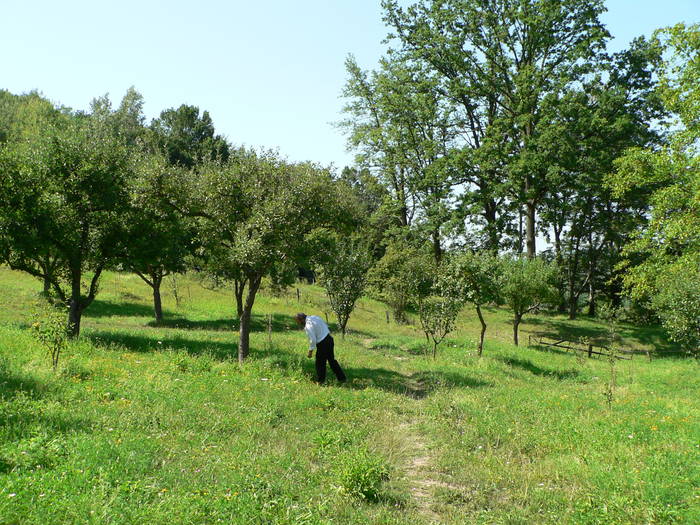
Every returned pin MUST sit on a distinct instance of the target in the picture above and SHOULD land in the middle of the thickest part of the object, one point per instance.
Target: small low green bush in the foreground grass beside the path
(361, 474)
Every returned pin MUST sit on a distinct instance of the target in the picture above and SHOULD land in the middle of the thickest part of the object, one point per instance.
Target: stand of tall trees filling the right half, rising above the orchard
(488, 124)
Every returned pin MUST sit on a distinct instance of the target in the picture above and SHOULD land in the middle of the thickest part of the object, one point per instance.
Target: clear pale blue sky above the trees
(270, 73)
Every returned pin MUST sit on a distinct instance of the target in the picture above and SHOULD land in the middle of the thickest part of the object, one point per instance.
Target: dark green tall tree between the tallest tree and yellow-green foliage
(588, 128)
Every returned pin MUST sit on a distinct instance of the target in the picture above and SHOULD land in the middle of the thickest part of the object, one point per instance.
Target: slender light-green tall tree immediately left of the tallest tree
(404, 129)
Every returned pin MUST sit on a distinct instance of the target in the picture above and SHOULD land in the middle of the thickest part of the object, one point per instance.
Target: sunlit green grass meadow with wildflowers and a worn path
(159, 424)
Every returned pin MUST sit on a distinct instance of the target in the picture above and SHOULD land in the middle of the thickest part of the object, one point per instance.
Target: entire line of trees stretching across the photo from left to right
(486, 124)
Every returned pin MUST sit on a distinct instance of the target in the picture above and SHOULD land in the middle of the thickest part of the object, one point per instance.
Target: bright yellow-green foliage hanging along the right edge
(671, 242)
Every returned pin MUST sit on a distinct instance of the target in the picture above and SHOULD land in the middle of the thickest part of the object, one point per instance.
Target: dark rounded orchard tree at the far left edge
(68, 187)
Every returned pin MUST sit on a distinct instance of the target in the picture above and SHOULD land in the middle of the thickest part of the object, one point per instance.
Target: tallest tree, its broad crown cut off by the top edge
(509, 55)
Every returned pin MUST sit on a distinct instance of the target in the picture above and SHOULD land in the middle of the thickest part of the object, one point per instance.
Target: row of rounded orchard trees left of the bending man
(83, 192)
